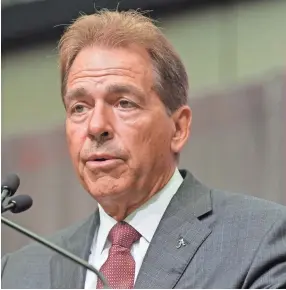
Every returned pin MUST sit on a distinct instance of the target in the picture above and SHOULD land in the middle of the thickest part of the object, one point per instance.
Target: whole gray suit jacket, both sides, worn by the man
(231, 241)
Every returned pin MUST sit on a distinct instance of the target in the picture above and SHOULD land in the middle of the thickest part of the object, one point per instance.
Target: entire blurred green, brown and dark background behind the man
(234, 52)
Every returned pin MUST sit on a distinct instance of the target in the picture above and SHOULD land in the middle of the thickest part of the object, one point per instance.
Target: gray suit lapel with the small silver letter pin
(178, 236)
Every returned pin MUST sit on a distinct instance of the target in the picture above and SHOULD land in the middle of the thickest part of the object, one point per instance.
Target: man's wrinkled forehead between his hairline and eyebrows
(99, 65)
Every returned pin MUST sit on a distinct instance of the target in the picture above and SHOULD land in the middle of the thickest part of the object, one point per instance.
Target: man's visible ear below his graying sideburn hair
(182, 119)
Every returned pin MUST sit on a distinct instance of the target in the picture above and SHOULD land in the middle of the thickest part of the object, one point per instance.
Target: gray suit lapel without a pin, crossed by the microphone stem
(67, 274)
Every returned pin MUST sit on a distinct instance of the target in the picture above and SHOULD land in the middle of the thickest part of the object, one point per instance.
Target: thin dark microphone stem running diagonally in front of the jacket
(55, 248)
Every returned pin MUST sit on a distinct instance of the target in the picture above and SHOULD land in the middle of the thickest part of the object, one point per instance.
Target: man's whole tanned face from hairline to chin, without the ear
(119, 133)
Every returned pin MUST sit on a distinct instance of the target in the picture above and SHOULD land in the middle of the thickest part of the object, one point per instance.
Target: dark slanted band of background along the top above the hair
(25, 22)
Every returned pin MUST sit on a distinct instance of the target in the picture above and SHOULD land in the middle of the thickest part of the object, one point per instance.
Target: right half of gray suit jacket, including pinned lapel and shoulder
(229, 241)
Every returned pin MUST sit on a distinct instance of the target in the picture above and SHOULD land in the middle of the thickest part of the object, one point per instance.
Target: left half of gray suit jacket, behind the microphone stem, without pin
(35, 266)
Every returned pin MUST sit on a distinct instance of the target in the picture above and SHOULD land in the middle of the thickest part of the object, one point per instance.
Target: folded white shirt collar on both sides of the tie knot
(146, 218)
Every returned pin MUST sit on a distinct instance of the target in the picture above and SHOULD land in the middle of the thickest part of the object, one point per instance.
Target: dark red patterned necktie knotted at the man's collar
(119, 268)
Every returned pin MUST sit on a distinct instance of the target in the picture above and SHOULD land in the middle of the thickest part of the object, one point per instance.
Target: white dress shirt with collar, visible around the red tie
(145, 220)
